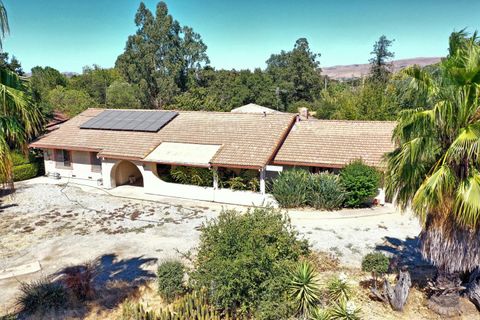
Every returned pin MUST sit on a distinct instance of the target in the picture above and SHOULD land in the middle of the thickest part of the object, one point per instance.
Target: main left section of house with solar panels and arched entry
(110, 148)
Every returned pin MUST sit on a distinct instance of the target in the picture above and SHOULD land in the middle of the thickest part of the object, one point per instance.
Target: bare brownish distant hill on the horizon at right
(359, 70)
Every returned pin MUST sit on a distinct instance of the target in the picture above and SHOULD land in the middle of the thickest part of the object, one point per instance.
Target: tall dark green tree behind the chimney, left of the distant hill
(296, 73)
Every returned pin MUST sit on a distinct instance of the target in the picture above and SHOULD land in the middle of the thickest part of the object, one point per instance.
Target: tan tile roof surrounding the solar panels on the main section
(248, 140)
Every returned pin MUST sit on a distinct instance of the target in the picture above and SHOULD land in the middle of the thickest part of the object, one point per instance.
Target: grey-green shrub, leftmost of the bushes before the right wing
(290, 188)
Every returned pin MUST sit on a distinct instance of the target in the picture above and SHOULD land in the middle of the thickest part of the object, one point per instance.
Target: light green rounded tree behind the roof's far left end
(70, 101)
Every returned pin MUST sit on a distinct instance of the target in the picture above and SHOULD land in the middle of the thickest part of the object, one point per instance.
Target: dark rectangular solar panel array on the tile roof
(123, 120)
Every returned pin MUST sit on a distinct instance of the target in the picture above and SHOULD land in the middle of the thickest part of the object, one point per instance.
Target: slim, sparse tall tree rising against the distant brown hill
(380, 65)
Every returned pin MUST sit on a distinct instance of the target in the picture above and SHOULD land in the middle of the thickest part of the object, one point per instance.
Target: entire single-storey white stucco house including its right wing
(111, 148)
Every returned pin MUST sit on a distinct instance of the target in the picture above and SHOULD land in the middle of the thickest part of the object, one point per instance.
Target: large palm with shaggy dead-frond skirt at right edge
(436, 168)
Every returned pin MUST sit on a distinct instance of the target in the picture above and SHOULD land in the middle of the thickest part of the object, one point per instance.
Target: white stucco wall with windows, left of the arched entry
(81, 169)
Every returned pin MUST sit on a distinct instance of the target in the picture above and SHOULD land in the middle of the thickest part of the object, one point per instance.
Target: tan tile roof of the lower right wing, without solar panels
(333, 144)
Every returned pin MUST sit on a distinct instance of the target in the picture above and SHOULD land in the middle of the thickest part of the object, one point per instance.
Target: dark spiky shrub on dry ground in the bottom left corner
(41, 296)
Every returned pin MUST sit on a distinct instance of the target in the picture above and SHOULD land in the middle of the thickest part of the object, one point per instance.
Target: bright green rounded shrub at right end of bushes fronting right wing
(361, 183)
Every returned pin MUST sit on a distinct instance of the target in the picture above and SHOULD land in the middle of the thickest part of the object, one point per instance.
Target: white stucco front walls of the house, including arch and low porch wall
(81, 172)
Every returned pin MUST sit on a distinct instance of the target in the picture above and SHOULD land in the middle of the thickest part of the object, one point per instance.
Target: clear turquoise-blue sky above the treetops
(242, 34)
